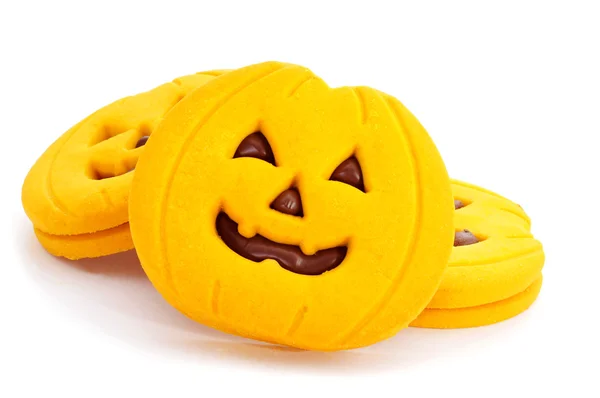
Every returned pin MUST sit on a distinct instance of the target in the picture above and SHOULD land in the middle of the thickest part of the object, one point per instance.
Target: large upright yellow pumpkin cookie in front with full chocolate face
(271, 206)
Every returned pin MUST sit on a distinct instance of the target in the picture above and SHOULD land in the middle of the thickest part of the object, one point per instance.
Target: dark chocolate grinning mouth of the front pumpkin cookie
(290, 257)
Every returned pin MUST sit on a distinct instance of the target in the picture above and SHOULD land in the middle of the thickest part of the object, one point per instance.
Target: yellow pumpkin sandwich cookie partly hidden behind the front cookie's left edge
(76, 194)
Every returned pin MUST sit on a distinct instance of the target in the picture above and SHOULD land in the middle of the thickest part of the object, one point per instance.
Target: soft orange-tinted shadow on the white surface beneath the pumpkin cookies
(113, 294)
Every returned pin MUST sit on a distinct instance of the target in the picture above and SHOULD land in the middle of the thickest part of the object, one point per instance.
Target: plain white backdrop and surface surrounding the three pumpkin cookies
(510, 92)
